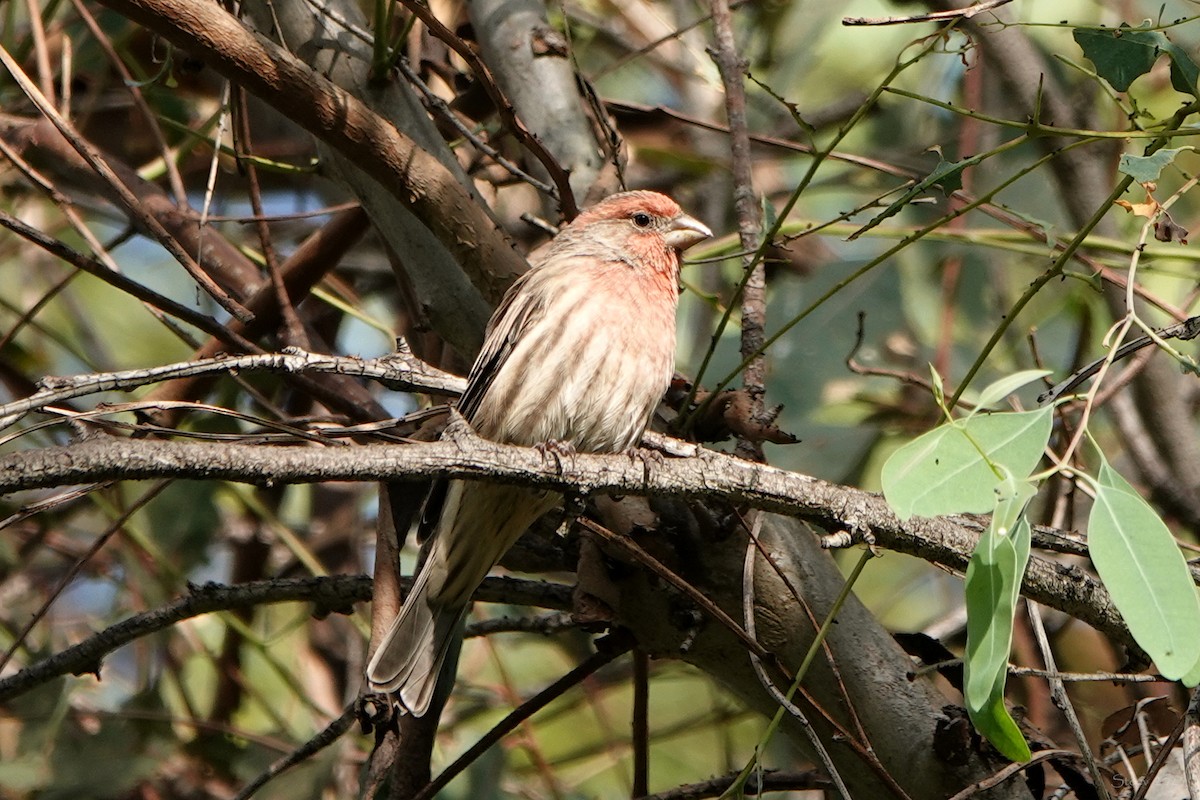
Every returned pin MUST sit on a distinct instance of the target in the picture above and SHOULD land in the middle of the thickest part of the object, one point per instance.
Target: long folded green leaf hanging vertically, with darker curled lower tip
(993, 591)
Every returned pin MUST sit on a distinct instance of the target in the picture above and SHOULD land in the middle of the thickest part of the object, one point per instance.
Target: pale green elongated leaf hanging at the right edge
(1145, 573)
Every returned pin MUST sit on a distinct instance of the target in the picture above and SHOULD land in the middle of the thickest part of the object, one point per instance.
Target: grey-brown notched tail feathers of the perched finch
(410, 658)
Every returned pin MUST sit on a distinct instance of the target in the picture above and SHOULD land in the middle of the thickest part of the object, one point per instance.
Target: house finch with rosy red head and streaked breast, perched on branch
(580, 352)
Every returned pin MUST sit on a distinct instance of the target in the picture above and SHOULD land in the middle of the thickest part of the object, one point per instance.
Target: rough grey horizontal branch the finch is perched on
(947, 542)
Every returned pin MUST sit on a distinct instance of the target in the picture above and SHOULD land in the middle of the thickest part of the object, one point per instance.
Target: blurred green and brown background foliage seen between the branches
(203, 707)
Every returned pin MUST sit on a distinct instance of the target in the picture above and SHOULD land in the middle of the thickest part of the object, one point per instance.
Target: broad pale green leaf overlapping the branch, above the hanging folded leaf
(950, 470)
